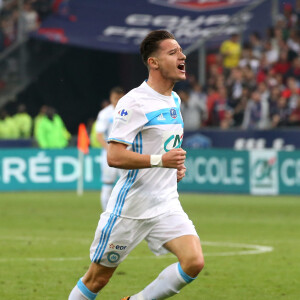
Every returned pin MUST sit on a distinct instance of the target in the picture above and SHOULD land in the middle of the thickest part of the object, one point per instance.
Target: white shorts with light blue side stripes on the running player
(116, 237)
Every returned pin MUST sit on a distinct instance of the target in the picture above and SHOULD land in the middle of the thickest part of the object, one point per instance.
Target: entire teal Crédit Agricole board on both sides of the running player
(259, 172)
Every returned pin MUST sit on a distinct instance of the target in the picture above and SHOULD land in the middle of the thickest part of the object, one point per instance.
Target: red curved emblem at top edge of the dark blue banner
(201, 5)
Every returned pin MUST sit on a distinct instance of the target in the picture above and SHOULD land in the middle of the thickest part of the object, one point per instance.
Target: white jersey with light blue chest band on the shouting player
(149, 123)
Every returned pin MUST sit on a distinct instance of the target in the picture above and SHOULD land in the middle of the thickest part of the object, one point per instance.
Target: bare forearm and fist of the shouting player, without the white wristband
(119, 157)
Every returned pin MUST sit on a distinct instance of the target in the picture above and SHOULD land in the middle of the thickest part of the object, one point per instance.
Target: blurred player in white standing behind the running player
(103, 127)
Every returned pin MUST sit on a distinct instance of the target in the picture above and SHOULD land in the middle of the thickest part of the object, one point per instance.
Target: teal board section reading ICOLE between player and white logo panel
(216, 171)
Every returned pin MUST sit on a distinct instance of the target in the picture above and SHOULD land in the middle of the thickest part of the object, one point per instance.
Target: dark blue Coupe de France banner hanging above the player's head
(119, 25)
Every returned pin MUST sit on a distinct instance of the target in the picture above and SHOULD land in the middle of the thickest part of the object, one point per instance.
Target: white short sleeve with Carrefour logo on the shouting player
(129, 119)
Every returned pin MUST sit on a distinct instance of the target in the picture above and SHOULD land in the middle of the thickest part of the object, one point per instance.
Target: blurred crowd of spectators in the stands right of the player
(250, 85)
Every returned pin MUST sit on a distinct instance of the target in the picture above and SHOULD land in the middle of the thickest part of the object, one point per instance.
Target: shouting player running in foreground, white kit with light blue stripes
(145, 142)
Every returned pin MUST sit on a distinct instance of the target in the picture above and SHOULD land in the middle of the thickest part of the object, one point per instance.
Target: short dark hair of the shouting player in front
(150, 44)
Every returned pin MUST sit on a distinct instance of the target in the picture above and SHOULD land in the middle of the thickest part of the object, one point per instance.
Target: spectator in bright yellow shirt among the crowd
(231, 51)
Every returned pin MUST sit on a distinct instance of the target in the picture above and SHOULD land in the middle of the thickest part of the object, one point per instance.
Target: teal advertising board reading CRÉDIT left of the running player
(35, 169)
